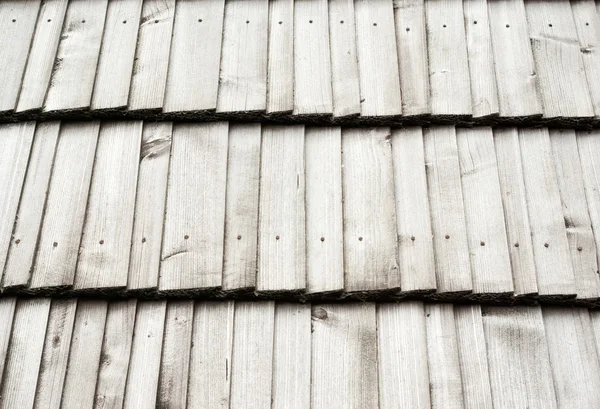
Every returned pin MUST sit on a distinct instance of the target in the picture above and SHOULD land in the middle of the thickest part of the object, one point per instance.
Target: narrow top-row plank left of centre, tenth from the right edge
(280, 65)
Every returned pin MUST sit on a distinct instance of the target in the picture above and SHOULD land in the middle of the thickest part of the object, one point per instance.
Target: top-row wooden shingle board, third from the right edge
(515, 70)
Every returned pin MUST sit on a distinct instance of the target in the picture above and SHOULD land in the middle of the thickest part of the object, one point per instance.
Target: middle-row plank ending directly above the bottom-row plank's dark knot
(324, 219)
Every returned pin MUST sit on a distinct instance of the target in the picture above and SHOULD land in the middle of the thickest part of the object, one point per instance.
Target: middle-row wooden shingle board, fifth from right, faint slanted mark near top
(486, 231)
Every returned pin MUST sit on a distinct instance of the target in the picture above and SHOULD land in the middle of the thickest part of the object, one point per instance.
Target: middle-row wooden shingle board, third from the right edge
(548, 232)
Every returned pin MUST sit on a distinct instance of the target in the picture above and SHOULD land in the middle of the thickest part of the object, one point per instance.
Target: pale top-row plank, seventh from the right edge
(377, 58)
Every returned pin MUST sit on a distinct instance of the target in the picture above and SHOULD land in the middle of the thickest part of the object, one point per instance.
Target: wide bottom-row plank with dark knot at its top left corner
(344, 356)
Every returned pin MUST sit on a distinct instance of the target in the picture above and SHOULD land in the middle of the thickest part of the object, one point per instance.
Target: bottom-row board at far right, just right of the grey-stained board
(573, 357)
